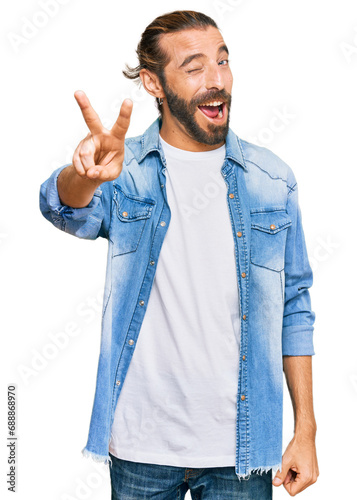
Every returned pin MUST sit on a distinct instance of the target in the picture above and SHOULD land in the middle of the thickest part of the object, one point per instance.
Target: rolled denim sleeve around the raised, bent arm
(88, 222)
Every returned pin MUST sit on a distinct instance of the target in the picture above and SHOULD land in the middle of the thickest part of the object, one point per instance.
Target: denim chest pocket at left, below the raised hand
(130, 214)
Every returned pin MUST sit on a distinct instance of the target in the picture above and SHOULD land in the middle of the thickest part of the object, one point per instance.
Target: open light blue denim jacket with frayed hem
(272, 268)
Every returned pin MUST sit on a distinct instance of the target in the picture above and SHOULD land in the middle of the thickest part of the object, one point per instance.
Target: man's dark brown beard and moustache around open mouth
(185, 111)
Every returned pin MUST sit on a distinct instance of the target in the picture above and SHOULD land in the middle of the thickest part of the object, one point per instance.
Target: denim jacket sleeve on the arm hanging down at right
(298, 318)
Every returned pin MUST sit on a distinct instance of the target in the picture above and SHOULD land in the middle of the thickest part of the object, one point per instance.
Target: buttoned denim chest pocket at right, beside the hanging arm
(268, 239)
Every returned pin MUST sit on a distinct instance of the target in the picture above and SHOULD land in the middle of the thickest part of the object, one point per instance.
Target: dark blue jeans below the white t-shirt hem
(141, 481)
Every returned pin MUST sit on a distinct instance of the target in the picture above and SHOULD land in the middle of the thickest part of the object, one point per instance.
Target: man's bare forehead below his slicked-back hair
(191, 41)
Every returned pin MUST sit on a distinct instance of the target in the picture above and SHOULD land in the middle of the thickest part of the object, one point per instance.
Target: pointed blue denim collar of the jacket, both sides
(150, 142)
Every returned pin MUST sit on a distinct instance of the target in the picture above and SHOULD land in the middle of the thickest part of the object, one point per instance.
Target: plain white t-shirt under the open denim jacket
(178, 403)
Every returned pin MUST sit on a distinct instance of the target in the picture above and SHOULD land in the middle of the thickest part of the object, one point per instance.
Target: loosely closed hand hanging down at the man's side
(299, 465)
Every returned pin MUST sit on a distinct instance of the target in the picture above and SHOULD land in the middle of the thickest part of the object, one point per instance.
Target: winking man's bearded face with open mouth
(197, 84)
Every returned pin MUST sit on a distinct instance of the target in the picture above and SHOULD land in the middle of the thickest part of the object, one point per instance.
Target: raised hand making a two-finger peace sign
(99, 156)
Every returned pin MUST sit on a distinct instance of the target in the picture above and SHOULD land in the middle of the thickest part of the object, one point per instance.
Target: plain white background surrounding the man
(298, 59)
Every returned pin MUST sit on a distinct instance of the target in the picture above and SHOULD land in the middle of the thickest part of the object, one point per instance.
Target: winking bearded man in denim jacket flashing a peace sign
(207, 261)
